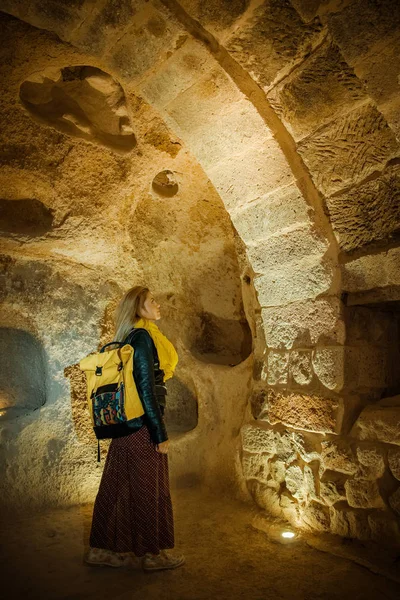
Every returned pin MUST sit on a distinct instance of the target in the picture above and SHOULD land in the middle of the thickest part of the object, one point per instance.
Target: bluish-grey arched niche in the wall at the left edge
(23, 374)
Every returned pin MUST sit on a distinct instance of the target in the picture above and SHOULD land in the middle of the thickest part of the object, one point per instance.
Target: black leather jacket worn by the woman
(149, 379)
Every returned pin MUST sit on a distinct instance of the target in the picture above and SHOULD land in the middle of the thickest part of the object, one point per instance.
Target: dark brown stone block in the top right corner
(363, 26)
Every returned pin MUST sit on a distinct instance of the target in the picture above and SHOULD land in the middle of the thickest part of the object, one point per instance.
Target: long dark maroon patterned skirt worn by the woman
(133, 509)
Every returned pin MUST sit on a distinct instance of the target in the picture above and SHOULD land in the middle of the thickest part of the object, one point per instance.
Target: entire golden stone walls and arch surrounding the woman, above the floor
(241, 159)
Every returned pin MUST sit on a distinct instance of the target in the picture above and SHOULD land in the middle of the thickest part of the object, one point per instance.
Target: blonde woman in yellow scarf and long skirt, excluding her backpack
(133, 510)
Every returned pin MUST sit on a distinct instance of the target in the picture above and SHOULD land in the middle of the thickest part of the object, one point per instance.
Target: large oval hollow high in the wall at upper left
(81, 101)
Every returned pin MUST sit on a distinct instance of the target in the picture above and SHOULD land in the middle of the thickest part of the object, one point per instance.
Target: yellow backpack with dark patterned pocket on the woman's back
(111, 391)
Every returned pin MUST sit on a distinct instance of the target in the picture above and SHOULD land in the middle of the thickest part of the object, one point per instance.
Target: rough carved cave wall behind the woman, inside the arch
(84, 219)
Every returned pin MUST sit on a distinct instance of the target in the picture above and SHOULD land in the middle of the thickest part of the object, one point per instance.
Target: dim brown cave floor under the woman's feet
(226, 558)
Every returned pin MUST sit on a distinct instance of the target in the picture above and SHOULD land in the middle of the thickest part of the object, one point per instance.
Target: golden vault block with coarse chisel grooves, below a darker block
(348, 150)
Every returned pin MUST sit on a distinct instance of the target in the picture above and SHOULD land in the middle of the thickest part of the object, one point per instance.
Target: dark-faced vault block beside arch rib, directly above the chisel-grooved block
(322, 89)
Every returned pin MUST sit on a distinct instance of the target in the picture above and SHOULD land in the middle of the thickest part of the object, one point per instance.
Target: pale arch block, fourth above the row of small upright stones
(264, 217)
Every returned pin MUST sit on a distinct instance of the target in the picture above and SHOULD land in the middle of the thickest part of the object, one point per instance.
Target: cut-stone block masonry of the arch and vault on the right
(291, 110)
